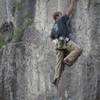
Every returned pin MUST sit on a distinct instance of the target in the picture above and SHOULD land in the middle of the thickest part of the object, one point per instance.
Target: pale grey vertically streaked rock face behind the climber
(27, 67)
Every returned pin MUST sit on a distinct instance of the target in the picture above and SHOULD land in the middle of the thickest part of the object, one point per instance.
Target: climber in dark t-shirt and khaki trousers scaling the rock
(60, 36)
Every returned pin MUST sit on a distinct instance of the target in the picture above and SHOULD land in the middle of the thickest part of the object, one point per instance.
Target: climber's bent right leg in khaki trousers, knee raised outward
(75, 52)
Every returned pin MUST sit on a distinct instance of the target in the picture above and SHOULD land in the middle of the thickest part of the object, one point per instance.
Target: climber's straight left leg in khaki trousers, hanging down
(59, 63)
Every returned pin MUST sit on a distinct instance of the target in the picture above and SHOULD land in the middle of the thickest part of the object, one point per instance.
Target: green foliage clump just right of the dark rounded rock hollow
(17, 34)
